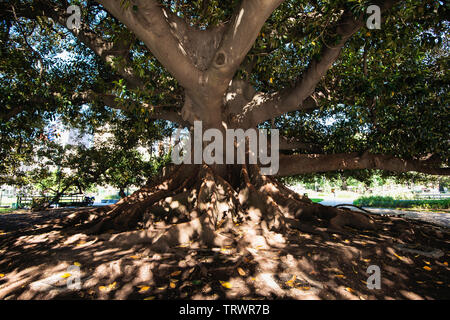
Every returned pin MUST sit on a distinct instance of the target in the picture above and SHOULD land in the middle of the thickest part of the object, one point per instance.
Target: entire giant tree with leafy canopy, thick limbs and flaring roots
(248, 64)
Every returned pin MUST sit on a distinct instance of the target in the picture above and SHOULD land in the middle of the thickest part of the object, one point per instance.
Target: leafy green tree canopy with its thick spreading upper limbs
(342, 95)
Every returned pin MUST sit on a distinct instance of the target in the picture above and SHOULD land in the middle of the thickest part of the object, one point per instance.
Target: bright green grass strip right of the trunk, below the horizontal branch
(389, 202)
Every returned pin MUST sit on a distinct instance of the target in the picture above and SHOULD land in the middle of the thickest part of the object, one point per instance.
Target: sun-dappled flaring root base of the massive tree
(194, 206)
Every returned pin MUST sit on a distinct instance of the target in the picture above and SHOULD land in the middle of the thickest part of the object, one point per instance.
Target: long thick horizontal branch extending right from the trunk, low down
(310, 163)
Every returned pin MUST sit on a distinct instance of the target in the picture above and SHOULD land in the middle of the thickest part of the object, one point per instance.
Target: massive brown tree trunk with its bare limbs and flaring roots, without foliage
(224, 204)
